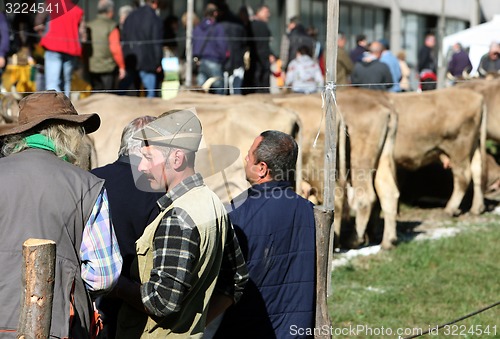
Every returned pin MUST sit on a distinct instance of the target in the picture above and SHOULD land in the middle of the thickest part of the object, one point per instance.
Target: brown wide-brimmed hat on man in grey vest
(49, 106)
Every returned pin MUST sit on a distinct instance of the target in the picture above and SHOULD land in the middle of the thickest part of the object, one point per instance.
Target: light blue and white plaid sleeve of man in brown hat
(99, 251)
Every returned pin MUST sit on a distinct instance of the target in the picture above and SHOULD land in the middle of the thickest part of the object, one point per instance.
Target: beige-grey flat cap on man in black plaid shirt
(180, 128)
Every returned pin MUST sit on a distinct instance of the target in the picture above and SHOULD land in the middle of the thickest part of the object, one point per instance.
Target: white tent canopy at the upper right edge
(477, 39)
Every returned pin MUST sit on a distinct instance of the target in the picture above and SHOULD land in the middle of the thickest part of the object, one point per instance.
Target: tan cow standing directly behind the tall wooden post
(371, 126)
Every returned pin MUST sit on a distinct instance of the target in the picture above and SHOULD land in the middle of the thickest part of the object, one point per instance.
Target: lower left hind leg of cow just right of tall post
(364, 199)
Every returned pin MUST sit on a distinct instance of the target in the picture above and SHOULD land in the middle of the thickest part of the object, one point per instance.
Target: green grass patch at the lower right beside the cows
(421, 284)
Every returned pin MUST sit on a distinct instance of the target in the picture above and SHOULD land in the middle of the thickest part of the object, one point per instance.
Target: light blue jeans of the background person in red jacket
(58, 70)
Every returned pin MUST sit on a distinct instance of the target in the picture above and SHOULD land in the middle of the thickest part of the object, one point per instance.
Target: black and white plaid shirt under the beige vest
(176, 253)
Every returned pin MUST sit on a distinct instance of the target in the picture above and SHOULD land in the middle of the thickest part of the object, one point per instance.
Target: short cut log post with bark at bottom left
(38, 288)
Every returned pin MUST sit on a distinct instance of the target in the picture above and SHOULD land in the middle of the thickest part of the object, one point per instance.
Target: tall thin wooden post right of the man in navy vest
(324, 215)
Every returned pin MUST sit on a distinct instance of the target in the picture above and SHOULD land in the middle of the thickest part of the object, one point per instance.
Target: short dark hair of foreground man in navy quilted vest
(279, 151)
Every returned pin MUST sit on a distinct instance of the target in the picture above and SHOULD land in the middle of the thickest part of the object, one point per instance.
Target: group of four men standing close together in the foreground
(144, 247)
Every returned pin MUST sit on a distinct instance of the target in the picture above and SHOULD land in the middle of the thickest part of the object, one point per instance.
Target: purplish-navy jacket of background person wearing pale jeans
(216, 47)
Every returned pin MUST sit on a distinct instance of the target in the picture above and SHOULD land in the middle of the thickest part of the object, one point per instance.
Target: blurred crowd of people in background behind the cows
(232, 52)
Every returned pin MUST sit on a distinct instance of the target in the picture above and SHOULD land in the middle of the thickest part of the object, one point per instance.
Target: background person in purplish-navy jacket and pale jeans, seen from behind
(210, 46)
